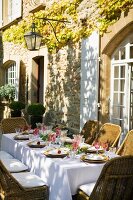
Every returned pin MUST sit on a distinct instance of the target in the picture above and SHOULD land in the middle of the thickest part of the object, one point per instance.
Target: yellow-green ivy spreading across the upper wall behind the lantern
(84, 15)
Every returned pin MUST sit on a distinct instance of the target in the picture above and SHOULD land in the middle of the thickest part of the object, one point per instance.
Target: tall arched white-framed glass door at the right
(121, 98)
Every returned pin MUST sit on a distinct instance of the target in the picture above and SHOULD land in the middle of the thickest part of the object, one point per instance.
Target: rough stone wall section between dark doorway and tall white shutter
(63, 91)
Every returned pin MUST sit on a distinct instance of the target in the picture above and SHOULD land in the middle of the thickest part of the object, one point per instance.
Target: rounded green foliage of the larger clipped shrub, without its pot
(36, 109)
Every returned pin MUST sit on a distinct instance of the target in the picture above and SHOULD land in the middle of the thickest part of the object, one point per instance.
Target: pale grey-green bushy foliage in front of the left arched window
(8, 91)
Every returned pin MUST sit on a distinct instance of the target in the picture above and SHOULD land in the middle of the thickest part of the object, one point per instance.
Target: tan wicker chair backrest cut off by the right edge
(126, 148)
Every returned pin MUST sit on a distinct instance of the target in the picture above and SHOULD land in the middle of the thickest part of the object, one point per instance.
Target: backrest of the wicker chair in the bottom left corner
(7, 181)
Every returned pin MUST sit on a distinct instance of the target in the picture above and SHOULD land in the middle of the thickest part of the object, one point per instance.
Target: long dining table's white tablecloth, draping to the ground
(62, 175)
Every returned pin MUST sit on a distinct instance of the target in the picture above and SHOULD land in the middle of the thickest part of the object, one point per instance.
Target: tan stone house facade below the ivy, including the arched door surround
(61, 91)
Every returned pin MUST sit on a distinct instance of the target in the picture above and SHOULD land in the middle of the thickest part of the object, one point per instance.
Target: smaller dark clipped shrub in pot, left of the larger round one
(16, 107)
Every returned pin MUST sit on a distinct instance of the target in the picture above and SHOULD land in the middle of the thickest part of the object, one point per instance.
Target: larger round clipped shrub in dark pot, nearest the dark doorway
(35, 111)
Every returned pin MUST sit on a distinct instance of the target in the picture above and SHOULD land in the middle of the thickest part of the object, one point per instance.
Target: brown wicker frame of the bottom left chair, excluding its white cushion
(11, 189)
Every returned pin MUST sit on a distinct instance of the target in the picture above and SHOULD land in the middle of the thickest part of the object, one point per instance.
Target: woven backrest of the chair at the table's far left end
(8, 125)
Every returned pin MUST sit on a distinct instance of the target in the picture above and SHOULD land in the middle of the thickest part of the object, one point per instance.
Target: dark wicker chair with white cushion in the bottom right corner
(114, 183)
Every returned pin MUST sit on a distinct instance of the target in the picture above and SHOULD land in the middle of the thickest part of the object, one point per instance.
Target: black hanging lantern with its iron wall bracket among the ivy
(33, 39)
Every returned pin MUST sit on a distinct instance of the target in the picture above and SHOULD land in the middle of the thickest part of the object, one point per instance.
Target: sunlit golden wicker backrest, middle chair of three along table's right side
(109, 133)
